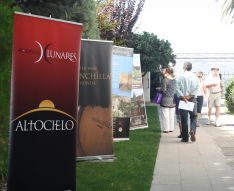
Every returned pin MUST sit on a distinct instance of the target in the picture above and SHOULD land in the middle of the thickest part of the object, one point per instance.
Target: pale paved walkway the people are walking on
(204, 165)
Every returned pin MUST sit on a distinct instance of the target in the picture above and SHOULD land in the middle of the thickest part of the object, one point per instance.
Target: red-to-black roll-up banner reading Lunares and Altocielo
(44, 100)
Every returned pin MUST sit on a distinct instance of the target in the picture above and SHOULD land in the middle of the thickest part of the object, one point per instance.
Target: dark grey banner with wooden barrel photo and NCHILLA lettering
(94, 132)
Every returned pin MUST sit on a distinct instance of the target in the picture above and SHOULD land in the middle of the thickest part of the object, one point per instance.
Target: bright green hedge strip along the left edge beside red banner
(7, 9)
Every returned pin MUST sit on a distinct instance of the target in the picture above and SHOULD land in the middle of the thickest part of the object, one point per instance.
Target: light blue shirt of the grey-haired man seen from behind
(187, 85)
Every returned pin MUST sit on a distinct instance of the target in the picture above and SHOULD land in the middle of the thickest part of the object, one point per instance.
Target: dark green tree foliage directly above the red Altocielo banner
(81, 11)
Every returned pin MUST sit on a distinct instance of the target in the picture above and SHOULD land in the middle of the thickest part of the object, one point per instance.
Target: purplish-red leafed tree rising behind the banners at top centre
(116, 18)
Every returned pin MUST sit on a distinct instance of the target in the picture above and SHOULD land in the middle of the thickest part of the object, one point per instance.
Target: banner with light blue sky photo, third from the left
(121, 91)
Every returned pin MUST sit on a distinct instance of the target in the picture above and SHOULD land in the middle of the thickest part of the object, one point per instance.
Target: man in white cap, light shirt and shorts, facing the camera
(213, 84)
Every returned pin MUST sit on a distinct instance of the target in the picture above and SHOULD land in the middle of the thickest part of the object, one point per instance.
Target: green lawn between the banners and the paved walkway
(133, 167)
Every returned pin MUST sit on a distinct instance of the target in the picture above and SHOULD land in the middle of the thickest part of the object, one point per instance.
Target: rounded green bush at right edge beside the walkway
(229, 96)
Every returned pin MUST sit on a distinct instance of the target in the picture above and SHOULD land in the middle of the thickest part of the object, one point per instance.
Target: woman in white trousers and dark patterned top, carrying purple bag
(167, 105)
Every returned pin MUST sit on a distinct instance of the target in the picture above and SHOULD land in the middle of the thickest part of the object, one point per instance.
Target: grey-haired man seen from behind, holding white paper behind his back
(187, 88)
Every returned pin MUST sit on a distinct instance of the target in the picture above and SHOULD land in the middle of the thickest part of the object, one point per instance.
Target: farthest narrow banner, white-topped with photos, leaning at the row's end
(138, 114)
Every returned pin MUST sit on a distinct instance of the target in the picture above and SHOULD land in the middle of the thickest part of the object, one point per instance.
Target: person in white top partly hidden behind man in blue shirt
(200, 96)
